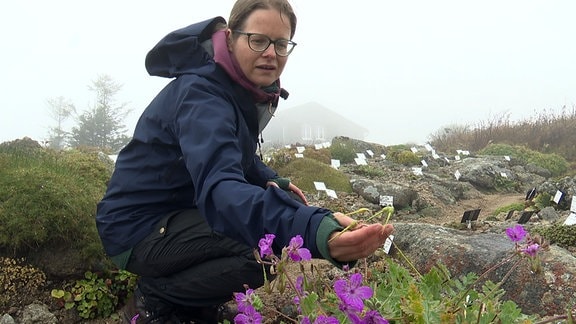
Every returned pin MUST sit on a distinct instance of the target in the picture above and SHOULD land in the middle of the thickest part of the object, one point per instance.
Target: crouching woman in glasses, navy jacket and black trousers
(189, 198)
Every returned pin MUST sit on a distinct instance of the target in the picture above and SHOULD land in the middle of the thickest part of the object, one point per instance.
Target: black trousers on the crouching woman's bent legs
(183, 263)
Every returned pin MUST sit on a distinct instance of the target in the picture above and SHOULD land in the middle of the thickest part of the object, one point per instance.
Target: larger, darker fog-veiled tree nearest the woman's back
(102, 125)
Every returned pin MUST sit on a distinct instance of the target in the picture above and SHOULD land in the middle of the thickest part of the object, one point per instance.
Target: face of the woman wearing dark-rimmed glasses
(262, 68)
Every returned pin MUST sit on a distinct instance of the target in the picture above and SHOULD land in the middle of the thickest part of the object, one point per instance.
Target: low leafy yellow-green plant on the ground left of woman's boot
(95, 296)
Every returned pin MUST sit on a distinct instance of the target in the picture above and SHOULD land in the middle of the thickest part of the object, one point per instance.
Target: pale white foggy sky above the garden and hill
(402, 69)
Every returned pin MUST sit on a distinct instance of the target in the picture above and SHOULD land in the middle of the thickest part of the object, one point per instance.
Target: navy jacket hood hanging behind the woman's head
(181, 51)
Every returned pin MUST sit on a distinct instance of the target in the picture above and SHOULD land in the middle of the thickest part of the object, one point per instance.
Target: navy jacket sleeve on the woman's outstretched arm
(208, 130)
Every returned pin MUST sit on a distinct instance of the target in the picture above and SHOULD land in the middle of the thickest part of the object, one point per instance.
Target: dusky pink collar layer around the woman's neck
(228, 62)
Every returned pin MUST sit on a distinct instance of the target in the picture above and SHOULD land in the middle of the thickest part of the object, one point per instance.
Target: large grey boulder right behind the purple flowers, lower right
(547, 293)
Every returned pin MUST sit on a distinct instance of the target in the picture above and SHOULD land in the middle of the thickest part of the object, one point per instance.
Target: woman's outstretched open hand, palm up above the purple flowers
(358, 242)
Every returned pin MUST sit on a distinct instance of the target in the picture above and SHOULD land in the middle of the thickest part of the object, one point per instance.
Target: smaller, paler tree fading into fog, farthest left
(60, 109)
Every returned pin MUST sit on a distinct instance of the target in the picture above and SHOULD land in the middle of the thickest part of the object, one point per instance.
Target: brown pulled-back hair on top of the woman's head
(243, 8)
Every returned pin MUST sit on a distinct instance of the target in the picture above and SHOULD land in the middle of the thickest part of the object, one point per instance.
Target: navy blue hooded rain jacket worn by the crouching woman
(195, 146)
